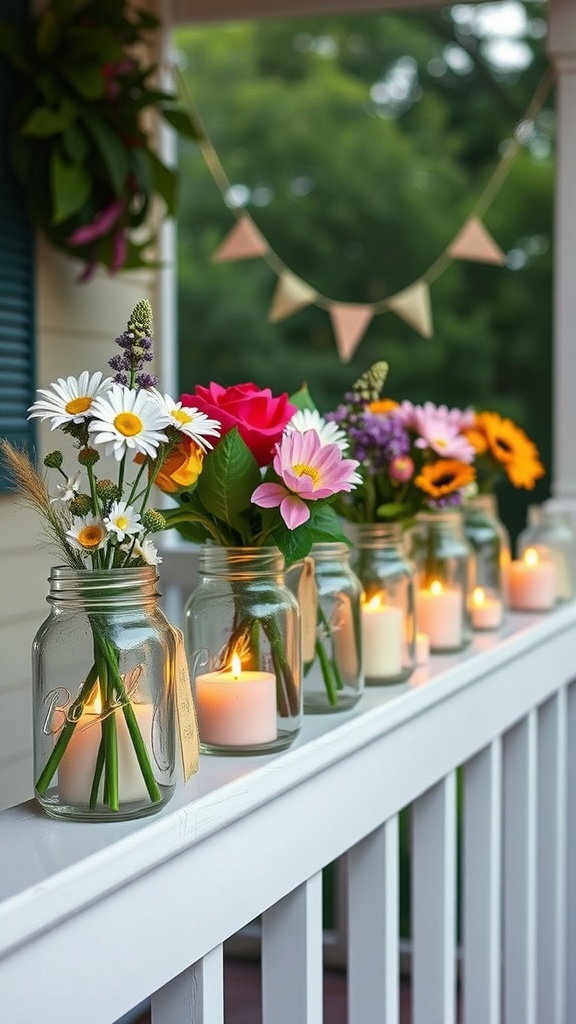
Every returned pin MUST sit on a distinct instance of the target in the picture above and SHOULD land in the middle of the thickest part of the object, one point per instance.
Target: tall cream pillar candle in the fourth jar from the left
(383, 639)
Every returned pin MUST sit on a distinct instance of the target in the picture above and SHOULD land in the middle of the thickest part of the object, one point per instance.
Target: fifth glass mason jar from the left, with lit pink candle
(444, 561)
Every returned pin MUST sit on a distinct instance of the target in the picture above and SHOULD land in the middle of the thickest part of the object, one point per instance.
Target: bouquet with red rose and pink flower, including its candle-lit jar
(265, 492)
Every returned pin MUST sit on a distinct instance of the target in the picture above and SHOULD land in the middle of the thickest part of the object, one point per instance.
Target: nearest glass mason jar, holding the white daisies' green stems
(104, 701)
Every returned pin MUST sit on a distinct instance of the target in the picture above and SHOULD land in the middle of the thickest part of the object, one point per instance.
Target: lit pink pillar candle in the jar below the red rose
(236, 708)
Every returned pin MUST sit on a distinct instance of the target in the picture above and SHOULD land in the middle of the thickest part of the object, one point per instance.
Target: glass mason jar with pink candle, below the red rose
(242, 627)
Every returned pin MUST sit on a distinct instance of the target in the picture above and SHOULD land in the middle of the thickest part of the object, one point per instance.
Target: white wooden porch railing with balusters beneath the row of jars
(95, 919)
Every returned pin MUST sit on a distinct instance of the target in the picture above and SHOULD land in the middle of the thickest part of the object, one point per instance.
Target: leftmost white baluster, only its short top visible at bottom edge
(195, 997)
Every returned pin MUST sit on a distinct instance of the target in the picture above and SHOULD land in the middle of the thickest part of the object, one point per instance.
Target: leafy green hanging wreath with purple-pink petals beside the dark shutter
(77, 145)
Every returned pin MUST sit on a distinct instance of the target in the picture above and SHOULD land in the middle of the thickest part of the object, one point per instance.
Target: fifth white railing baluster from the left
(482, 886)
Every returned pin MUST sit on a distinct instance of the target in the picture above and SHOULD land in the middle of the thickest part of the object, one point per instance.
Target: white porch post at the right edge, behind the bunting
(562, 49)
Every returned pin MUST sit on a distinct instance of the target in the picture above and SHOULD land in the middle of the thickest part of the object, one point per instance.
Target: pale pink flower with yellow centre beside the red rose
(309, 471)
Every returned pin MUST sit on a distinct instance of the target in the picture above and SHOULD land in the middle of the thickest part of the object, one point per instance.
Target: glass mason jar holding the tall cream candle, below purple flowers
(389, 629)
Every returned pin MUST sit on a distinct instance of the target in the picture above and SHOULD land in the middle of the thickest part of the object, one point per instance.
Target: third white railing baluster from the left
(374, 927)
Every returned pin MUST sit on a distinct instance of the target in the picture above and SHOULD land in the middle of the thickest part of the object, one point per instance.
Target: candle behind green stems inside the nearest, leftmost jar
(76, 771)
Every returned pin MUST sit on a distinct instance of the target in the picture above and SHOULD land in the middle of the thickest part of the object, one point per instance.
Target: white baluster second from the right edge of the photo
(551, 863)
